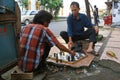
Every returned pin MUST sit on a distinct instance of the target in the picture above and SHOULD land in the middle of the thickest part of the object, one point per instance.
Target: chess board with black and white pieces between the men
(66, 58)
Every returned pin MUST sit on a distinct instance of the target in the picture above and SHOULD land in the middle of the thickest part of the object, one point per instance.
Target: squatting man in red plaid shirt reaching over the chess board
(35, 42)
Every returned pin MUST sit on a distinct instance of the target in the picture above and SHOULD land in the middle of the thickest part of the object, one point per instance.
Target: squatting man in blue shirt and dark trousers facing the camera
(75, 30)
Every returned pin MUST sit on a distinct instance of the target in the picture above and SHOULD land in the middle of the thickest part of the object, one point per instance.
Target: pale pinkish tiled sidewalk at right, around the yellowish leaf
(113, 45)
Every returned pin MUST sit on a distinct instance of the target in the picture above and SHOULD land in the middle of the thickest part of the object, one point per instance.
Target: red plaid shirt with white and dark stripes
(33, 39)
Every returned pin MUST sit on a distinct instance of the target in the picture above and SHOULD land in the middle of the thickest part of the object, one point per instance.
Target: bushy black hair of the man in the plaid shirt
(41, 17)
